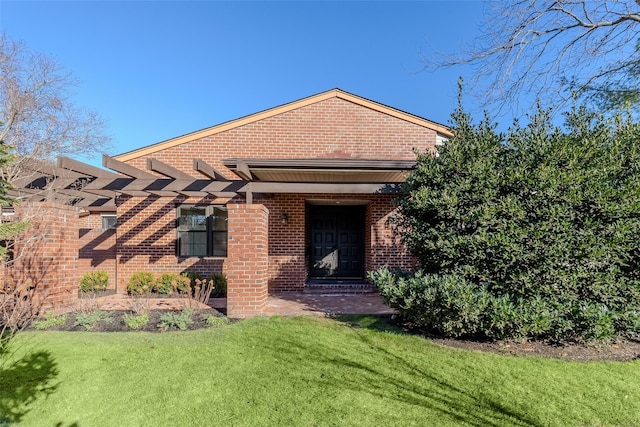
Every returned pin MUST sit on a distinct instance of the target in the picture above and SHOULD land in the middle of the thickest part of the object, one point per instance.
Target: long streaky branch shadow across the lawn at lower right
(398, 378)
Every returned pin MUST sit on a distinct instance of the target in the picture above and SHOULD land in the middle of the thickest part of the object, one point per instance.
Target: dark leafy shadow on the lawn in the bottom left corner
(23, 382)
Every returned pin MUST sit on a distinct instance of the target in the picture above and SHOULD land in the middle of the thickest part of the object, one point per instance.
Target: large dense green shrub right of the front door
(538, 228)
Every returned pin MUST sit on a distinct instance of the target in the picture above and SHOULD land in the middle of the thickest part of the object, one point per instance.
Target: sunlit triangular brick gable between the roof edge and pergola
(334, 128)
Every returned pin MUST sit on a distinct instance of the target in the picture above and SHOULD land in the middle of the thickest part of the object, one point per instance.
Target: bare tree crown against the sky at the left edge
(38, 118)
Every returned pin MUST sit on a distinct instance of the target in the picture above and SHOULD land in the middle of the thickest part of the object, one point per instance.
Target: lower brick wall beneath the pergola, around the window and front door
(147, 238)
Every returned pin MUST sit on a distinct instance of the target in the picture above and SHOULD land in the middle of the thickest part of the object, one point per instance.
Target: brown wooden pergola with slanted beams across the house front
(94, 189)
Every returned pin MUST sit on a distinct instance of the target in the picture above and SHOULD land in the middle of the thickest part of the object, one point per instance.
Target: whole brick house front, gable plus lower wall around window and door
(334, 128)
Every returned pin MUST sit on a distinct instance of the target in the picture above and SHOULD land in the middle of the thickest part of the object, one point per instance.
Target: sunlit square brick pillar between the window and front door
(247, 266)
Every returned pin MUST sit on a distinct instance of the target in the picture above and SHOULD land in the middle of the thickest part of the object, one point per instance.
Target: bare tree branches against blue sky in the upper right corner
(550, 50)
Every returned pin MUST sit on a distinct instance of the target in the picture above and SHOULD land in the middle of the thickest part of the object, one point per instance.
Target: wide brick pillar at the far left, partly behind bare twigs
(46, 255)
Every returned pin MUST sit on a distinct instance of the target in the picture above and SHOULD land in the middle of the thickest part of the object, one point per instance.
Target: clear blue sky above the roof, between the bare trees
(159, 69)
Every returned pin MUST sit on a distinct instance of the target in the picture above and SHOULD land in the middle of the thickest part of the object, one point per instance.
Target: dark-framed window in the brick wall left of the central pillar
(202, 231)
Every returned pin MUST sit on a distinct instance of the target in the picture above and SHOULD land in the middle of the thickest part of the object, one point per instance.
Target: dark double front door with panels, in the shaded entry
(337, 241)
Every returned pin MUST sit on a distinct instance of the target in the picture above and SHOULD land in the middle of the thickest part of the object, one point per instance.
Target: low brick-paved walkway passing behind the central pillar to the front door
(281, 304)
